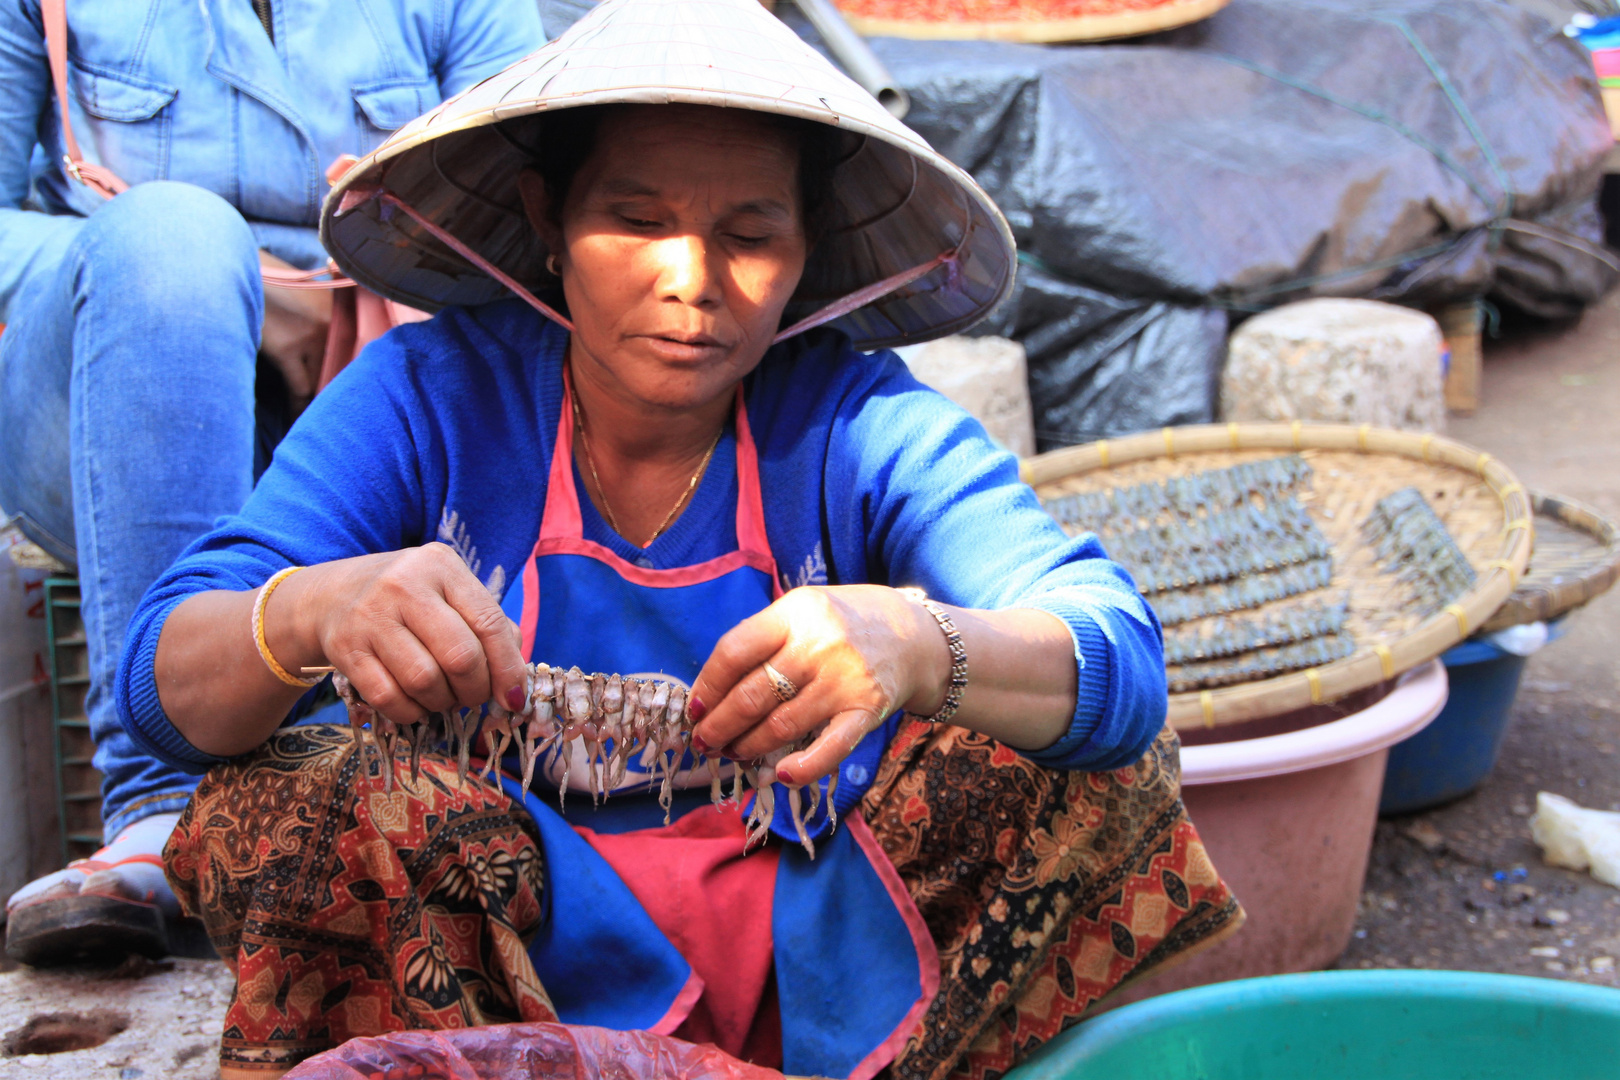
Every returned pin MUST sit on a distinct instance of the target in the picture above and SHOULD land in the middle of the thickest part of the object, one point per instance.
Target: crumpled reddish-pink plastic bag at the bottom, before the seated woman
(526, 1052)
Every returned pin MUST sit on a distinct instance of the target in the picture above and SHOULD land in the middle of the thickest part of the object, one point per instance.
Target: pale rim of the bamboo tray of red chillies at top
(1098, 27)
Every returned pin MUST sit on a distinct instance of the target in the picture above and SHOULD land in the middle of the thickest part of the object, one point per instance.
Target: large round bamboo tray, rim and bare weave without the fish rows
(1481, 504)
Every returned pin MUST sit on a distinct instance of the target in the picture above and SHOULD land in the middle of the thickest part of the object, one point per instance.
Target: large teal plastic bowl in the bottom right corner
(1349, 1026)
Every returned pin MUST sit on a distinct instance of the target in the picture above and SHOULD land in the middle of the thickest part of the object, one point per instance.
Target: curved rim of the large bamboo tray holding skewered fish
(1366, 666)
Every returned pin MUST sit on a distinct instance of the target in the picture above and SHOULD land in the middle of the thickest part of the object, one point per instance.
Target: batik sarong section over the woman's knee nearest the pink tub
(1042, 890)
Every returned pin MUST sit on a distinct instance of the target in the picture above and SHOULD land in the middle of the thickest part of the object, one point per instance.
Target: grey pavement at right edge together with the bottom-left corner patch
(1456, 888)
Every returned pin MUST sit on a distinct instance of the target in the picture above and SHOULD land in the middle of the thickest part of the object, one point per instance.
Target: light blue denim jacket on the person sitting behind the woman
(197, 91)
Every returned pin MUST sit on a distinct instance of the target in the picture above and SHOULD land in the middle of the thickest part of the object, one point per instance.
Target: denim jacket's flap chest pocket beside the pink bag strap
(129, 121)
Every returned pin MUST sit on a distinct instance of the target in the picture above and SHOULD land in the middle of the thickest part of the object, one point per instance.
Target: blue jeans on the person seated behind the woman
(127, 381)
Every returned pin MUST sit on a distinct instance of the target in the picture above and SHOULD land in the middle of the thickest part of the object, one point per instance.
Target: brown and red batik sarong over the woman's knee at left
(351, 911)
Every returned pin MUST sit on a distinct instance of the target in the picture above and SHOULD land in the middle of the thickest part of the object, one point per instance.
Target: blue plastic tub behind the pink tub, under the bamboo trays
(1457, 752)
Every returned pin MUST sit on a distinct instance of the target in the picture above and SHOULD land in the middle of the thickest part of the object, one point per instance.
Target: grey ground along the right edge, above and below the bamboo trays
(1464, 887)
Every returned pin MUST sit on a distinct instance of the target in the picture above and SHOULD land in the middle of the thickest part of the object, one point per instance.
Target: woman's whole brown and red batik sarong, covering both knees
(352, 912)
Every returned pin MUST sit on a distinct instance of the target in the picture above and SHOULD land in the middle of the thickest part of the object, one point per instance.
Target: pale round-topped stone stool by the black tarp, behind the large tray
(1352, 362)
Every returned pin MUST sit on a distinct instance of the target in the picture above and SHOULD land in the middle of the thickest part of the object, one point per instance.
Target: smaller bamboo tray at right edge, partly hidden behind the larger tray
(1577, 558)
